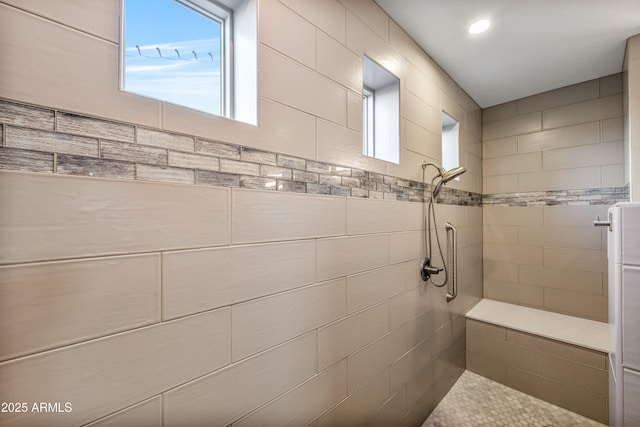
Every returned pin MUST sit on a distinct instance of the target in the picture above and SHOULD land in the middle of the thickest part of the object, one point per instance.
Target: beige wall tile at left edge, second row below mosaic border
(61, 303)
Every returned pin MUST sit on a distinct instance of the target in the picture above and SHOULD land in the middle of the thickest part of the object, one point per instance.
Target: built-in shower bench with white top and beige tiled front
(555, 357)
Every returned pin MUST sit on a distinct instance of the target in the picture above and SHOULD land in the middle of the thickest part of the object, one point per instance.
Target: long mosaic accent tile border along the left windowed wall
(43, 140)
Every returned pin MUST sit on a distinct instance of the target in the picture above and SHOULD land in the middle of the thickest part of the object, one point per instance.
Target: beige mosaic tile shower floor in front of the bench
(477, 401)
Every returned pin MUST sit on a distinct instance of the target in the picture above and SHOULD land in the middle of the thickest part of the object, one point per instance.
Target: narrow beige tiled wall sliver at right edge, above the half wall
(631, 77)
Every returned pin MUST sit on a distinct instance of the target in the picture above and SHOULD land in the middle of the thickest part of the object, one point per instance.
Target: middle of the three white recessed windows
(380, 112)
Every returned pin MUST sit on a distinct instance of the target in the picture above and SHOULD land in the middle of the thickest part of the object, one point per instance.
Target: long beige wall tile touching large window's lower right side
(293, 84)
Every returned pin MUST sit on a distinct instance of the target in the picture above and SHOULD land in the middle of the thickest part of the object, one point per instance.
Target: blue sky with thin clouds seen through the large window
(177, 58)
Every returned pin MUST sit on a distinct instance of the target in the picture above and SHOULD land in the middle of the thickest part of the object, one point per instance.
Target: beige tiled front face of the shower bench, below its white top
(572, 377)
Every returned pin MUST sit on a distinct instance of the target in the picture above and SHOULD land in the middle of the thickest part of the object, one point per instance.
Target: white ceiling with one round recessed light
(532, 46)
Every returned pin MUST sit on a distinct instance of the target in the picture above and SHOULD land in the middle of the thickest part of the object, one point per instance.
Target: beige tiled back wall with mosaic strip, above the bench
(551, 163)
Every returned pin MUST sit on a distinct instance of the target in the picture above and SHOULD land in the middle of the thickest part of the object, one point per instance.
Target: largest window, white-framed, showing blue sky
(196, 53)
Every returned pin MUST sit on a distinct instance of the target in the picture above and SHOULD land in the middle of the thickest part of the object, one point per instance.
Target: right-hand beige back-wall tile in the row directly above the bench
(576, 303)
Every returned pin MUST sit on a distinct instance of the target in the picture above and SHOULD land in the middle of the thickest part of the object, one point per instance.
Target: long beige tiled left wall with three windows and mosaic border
(150, 276)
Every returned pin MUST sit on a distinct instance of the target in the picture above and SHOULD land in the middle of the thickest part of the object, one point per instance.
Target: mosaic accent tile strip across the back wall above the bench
(585, 197)
